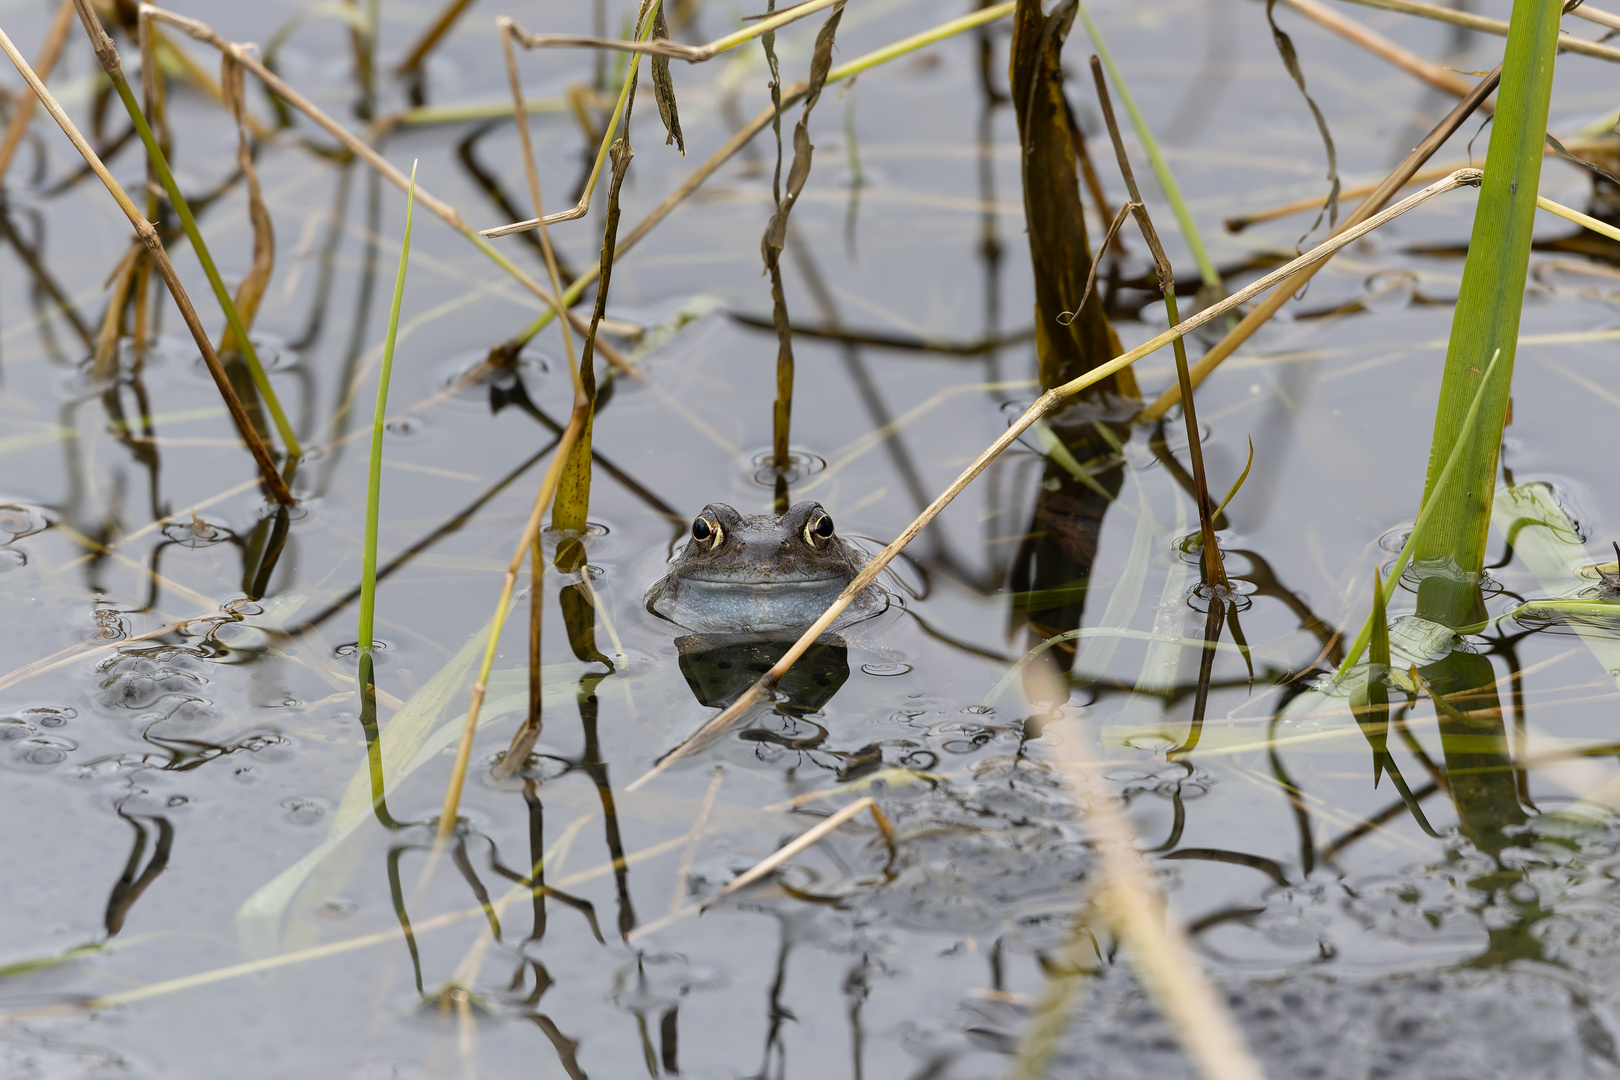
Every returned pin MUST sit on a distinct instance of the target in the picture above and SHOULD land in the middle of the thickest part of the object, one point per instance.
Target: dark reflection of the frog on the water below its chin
(722, 668)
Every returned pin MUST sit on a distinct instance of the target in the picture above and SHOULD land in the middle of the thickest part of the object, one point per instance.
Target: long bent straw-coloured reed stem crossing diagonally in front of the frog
(1044, 404)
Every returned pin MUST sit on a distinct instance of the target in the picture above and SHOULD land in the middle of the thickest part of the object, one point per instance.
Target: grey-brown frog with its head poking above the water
(761, 574)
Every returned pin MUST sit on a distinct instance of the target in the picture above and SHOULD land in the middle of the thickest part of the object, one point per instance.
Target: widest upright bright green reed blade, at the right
(1486, 323)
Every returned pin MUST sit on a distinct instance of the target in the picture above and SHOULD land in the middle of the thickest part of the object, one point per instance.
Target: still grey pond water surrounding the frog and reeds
(192, 878)
